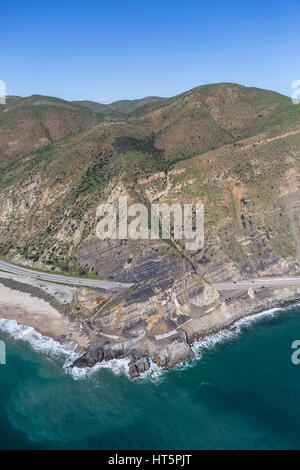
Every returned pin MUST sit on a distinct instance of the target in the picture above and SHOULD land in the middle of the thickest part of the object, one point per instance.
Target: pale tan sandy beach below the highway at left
(37, 313)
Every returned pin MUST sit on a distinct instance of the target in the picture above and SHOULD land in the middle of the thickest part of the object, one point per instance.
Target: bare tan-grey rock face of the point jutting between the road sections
(148, 322)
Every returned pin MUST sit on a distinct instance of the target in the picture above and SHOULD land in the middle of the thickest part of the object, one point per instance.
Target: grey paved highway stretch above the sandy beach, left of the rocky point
(76, 281)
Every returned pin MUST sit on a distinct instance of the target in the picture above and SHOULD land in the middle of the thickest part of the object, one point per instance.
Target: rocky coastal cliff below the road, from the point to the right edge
(163, 327)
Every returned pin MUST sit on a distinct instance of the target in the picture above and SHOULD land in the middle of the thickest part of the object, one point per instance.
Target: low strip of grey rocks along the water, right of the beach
(177, 348)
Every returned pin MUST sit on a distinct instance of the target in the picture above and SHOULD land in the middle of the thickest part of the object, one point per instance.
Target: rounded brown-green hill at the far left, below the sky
(28, 124)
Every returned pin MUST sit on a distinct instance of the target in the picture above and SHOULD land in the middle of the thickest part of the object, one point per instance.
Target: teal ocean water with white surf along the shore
(241, 392)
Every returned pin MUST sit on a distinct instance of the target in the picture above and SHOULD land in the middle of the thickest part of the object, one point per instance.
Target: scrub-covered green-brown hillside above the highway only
(65, 160)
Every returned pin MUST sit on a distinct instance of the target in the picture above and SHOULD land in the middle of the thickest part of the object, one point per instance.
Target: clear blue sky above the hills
(109, 50)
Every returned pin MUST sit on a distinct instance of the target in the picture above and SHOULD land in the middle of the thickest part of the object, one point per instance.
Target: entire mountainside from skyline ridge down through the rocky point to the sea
(235, 149)
